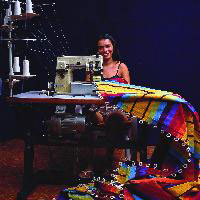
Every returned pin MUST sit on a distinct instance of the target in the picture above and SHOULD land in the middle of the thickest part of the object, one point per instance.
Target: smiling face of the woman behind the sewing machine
(105, 48)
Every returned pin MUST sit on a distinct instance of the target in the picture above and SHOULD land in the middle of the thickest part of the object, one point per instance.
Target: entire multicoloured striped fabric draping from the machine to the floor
(179, 175)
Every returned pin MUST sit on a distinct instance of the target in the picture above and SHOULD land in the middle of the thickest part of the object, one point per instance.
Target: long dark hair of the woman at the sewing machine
(115, 55)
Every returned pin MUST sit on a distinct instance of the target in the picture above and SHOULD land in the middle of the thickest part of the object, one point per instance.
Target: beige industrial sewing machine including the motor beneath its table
(64, 86)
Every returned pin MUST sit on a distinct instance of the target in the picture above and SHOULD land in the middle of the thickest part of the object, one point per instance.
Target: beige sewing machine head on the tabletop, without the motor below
(65, 66)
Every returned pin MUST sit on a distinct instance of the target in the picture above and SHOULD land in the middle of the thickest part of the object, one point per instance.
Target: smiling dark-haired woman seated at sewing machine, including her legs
(113, 69)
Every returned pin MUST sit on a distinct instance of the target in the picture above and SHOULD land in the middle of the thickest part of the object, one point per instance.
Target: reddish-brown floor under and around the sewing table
(57, 159)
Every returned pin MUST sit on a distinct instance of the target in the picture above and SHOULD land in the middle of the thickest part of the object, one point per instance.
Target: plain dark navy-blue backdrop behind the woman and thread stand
(158, 40)
